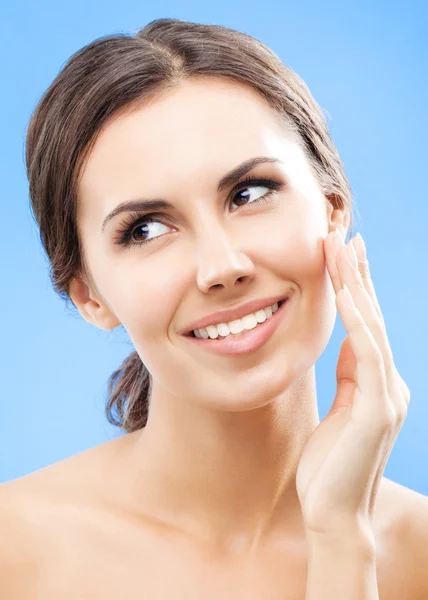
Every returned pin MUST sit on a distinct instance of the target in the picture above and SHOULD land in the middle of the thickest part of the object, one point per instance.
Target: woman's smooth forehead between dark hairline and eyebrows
(205, 125)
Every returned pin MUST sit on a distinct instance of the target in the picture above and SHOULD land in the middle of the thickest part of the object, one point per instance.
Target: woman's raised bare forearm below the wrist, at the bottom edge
(341, 568)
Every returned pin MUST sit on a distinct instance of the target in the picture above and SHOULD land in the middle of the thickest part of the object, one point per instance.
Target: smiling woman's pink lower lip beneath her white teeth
(250, 341)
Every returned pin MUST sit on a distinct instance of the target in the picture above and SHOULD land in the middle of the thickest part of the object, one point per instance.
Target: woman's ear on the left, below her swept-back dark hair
(91, 306)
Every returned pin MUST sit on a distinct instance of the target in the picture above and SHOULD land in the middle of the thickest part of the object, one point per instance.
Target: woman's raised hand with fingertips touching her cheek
(342, 464)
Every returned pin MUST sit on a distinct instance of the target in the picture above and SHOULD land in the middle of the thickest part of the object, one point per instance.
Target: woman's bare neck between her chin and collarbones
(228, 478)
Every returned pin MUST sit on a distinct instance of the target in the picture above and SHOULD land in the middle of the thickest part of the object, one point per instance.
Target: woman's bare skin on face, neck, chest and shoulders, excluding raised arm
(202, 502)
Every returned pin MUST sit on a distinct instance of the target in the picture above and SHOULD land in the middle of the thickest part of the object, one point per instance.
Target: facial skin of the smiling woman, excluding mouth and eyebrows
(212, 249)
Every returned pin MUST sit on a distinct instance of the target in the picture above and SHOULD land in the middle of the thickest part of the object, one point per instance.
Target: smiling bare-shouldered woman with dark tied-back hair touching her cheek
(187, 188)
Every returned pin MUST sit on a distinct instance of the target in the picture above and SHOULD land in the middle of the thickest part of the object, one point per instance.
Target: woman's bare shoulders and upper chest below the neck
(67, 535)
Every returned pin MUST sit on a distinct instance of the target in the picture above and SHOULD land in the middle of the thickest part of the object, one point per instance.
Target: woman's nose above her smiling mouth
(221, 264)
